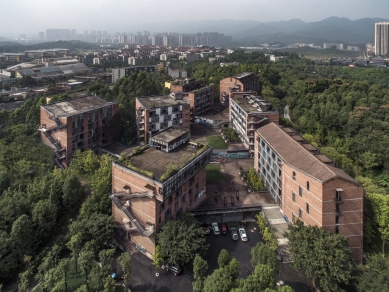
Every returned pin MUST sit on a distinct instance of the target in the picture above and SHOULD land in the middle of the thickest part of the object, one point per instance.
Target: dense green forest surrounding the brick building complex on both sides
(45, 212)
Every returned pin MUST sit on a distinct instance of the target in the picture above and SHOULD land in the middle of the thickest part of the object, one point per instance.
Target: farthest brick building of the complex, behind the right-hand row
(245, 81)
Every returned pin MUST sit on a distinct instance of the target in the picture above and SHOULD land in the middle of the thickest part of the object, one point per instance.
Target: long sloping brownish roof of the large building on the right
(298, 156)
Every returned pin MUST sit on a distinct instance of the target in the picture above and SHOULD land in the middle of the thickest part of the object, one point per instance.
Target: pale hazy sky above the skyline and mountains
(31, 16)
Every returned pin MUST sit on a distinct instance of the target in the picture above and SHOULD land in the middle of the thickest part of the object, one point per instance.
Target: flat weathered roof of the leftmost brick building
(76, 106)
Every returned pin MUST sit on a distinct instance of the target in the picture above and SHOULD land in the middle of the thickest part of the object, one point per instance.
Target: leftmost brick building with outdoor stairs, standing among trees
(81, 123)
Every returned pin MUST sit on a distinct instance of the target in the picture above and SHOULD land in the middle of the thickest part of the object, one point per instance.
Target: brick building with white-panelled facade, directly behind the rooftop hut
(154, 114)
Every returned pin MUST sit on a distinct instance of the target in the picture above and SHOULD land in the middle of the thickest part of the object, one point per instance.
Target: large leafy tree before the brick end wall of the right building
(324, 257)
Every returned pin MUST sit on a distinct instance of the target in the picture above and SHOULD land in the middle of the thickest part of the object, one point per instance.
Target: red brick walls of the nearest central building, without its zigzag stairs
(154, 212)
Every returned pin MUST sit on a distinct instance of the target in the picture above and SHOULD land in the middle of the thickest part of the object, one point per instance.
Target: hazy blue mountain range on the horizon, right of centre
(248, 32)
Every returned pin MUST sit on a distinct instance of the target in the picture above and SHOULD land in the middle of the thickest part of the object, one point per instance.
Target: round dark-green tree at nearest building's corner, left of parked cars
(180, 240)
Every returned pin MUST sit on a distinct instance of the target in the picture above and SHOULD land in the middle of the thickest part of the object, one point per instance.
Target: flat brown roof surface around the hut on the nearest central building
(156, 161)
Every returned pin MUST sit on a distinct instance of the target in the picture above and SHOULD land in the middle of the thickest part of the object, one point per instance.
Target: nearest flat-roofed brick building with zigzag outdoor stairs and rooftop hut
(165, 180)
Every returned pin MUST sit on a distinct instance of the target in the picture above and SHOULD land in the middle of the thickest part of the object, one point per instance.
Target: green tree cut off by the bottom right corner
(374, 275)
